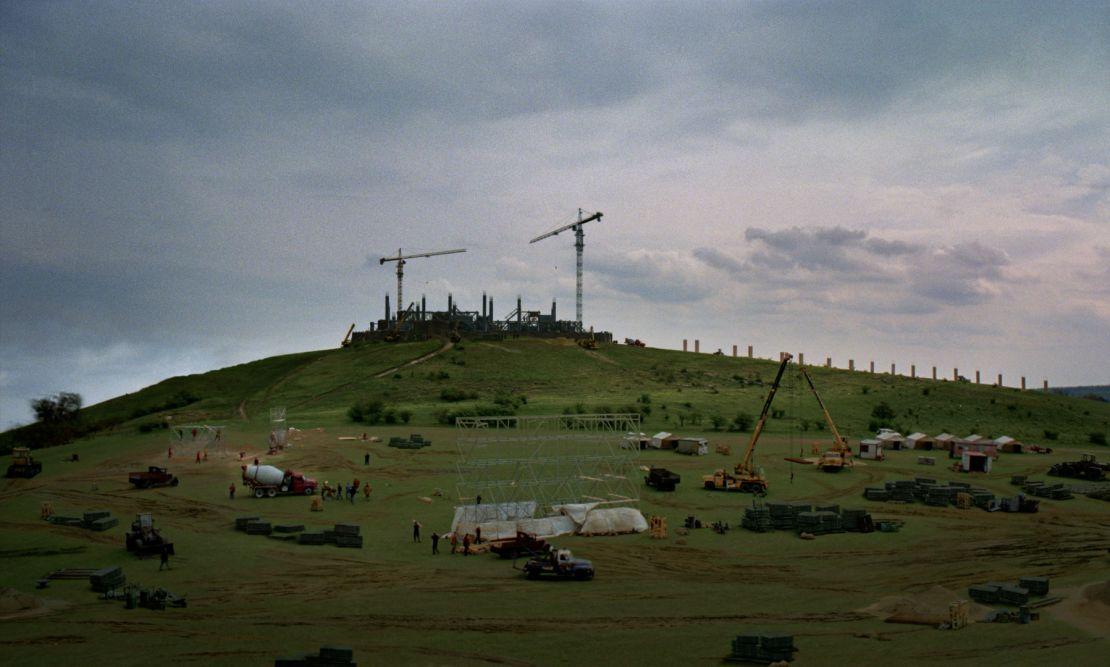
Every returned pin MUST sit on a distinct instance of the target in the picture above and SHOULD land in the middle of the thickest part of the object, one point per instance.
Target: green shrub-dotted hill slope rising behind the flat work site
(431, 382)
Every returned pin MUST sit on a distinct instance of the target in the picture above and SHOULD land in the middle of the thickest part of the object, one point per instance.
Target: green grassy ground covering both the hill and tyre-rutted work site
(655, 602)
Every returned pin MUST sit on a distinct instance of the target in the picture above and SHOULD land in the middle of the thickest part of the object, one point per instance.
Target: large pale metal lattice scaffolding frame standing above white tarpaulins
(548, 460)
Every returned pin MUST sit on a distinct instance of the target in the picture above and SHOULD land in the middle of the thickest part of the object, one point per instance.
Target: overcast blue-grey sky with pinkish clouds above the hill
(188, 186)
